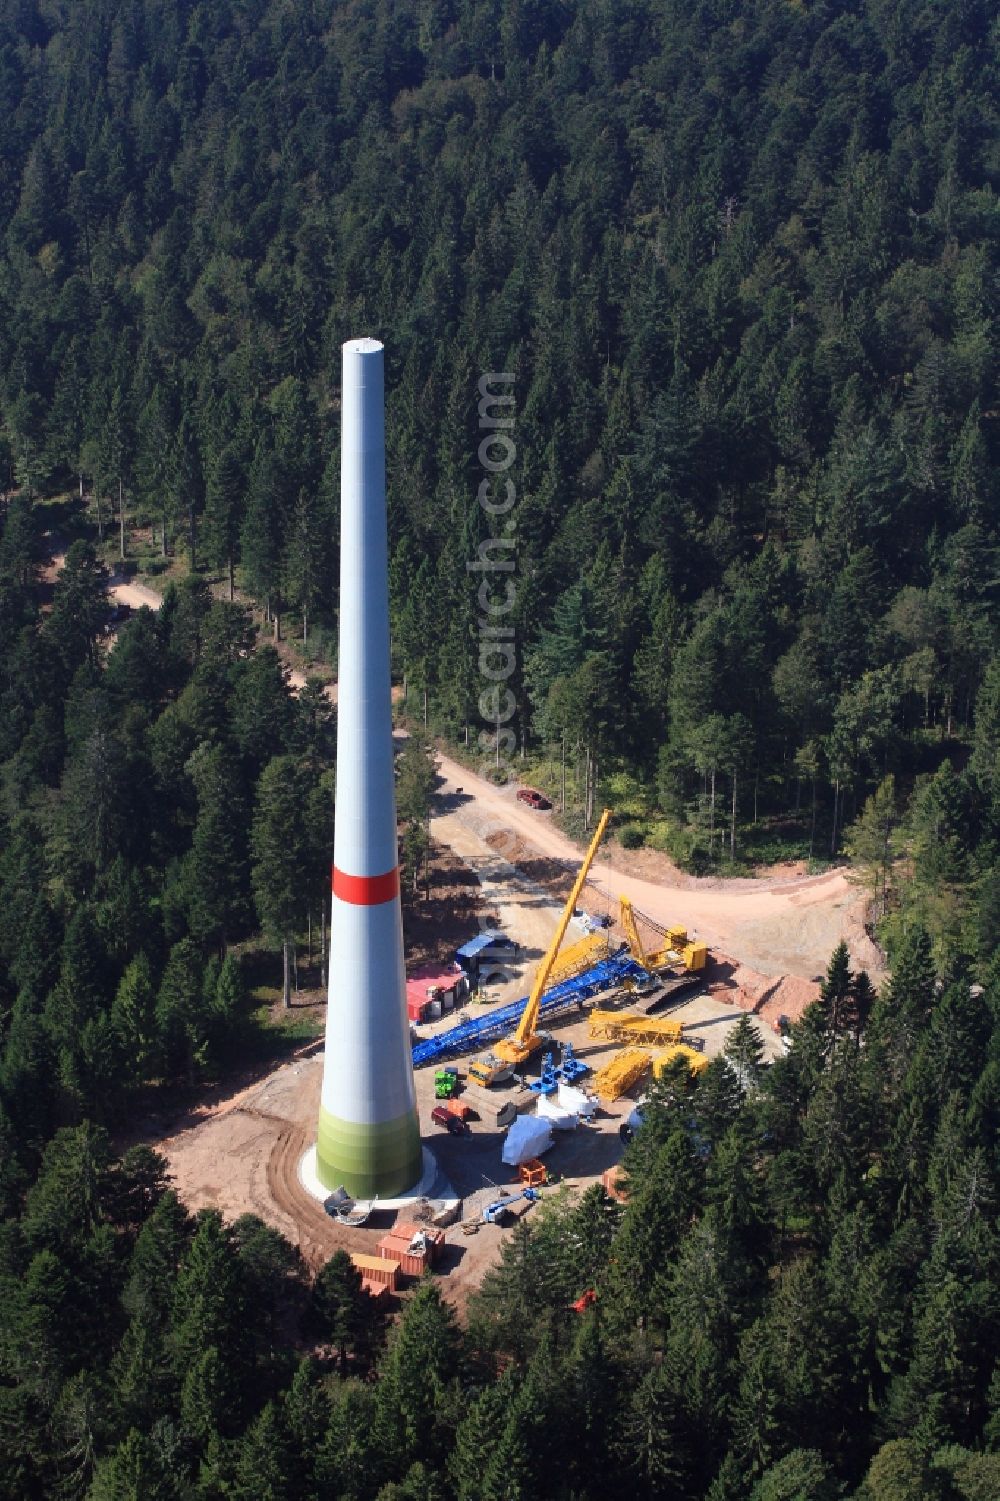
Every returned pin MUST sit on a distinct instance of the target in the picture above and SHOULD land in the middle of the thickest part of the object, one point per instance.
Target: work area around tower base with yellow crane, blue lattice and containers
(595, 1018)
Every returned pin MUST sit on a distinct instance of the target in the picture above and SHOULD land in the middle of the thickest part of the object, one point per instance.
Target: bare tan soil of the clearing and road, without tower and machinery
(242, 1152)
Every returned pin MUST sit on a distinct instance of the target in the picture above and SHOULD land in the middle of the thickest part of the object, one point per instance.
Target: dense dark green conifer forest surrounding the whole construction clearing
(741, 262)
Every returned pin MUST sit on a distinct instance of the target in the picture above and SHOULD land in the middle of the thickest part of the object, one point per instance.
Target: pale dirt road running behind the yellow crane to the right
(773, 925)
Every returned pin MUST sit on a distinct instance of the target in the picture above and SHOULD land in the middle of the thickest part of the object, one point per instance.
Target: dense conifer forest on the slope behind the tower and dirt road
(741, 265)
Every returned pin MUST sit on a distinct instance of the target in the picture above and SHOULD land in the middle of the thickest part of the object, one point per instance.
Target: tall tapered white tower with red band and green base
(369, 1137)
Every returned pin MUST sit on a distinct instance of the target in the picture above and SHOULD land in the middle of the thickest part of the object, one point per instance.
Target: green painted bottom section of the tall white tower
(379, 1160)
